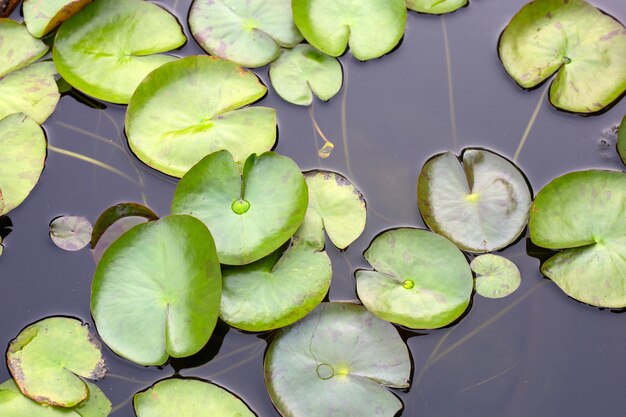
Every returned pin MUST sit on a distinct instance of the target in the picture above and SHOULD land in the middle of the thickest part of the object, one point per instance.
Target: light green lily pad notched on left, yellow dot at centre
(420, 279)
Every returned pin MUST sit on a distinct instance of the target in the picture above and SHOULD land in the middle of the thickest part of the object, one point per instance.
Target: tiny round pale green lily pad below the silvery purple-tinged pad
(496, 276)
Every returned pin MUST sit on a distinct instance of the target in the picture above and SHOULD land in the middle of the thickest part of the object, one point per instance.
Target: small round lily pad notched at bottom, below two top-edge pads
(303, 71)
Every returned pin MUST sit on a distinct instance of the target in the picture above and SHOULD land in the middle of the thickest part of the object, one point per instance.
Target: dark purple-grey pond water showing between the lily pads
(535, 353)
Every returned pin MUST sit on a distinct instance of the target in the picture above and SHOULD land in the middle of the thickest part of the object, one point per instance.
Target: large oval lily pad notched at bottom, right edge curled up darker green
(156, 291)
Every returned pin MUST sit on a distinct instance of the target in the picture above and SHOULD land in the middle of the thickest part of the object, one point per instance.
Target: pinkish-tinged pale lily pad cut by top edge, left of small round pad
(248, 32)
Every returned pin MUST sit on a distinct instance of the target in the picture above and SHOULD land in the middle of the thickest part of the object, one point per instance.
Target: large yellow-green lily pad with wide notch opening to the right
(188, 109)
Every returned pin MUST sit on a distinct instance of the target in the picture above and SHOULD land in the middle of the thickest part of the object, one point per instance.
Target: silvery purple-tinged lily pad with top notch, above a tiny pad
(480, 203)
